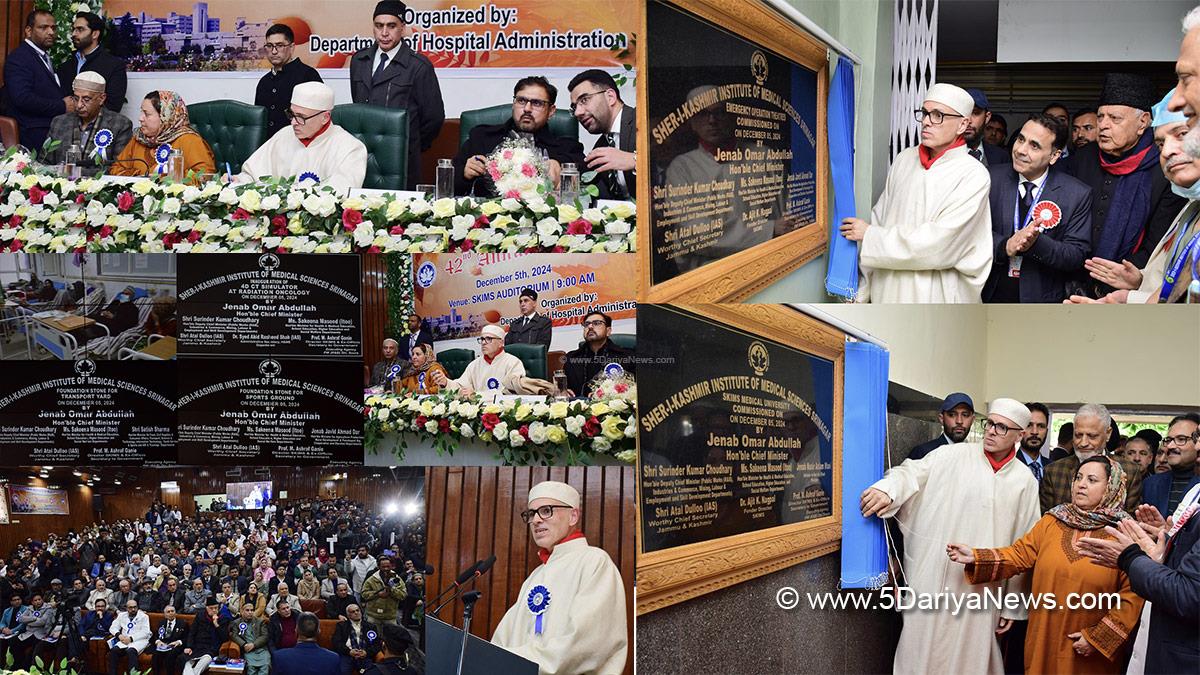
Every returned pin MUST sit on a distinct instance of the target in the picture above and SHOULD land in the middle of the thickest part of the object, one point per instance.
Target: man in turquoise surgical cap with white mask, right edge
(1167, 274)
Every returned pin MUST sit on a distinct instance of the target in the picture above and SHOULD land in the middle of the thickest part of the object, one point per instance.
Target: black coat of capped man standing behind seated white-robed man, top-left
(407, 82)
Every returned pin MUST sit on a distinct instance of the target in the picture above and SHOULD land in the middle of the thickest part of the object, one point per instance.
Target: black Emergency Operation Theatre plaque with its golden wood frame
(737, 151)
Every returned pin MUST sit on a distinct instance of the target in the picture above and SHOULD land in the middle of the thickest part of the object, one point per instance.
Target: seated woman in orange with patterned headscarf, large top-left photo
(165, 128)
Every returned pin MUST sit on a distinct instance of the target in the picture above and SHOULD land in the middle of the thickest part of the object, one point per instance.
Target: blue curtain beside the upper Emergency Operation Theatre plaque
(842, 278)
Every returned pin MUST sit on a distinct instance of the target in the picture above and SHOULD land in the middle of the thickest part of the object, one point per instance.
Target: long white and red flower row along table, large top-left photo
(41, 213)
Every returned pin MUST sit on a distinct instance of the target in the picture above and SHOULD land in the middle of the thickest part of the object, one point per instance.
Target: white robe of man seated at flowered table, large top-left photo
(337, 158)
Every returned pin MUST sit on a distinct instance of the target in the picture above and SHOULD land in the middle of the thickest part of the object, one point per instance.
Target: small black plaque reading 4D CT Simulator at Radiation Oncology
(290, 304)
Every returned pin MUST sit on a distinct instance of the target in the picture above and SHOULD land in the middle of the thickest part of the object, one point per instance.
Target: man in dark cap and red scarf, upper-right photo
(1132, 201)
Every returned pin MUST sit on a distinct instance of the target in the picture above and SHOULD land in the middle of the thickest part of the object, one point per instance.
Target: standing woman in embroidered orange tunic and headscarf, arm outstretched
(1063, 640)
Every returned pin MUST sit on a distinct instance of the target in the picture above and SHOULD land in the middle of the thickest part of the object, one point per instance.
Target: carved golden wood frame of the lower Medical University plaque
(673, 576)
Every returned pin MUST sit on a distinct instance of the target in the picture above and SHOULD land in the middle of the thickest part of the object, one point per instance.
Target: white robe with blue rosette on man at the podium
(584, 628)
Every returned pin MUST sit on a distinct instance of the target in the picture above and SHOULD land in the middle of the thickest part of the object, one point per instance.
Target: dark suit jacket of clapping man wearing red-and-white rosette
(1057, 258)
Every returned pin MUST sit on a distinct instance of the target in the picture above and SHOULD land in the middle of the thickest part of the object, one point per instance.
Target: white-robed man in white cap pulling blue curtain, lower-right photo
(959, 491)
